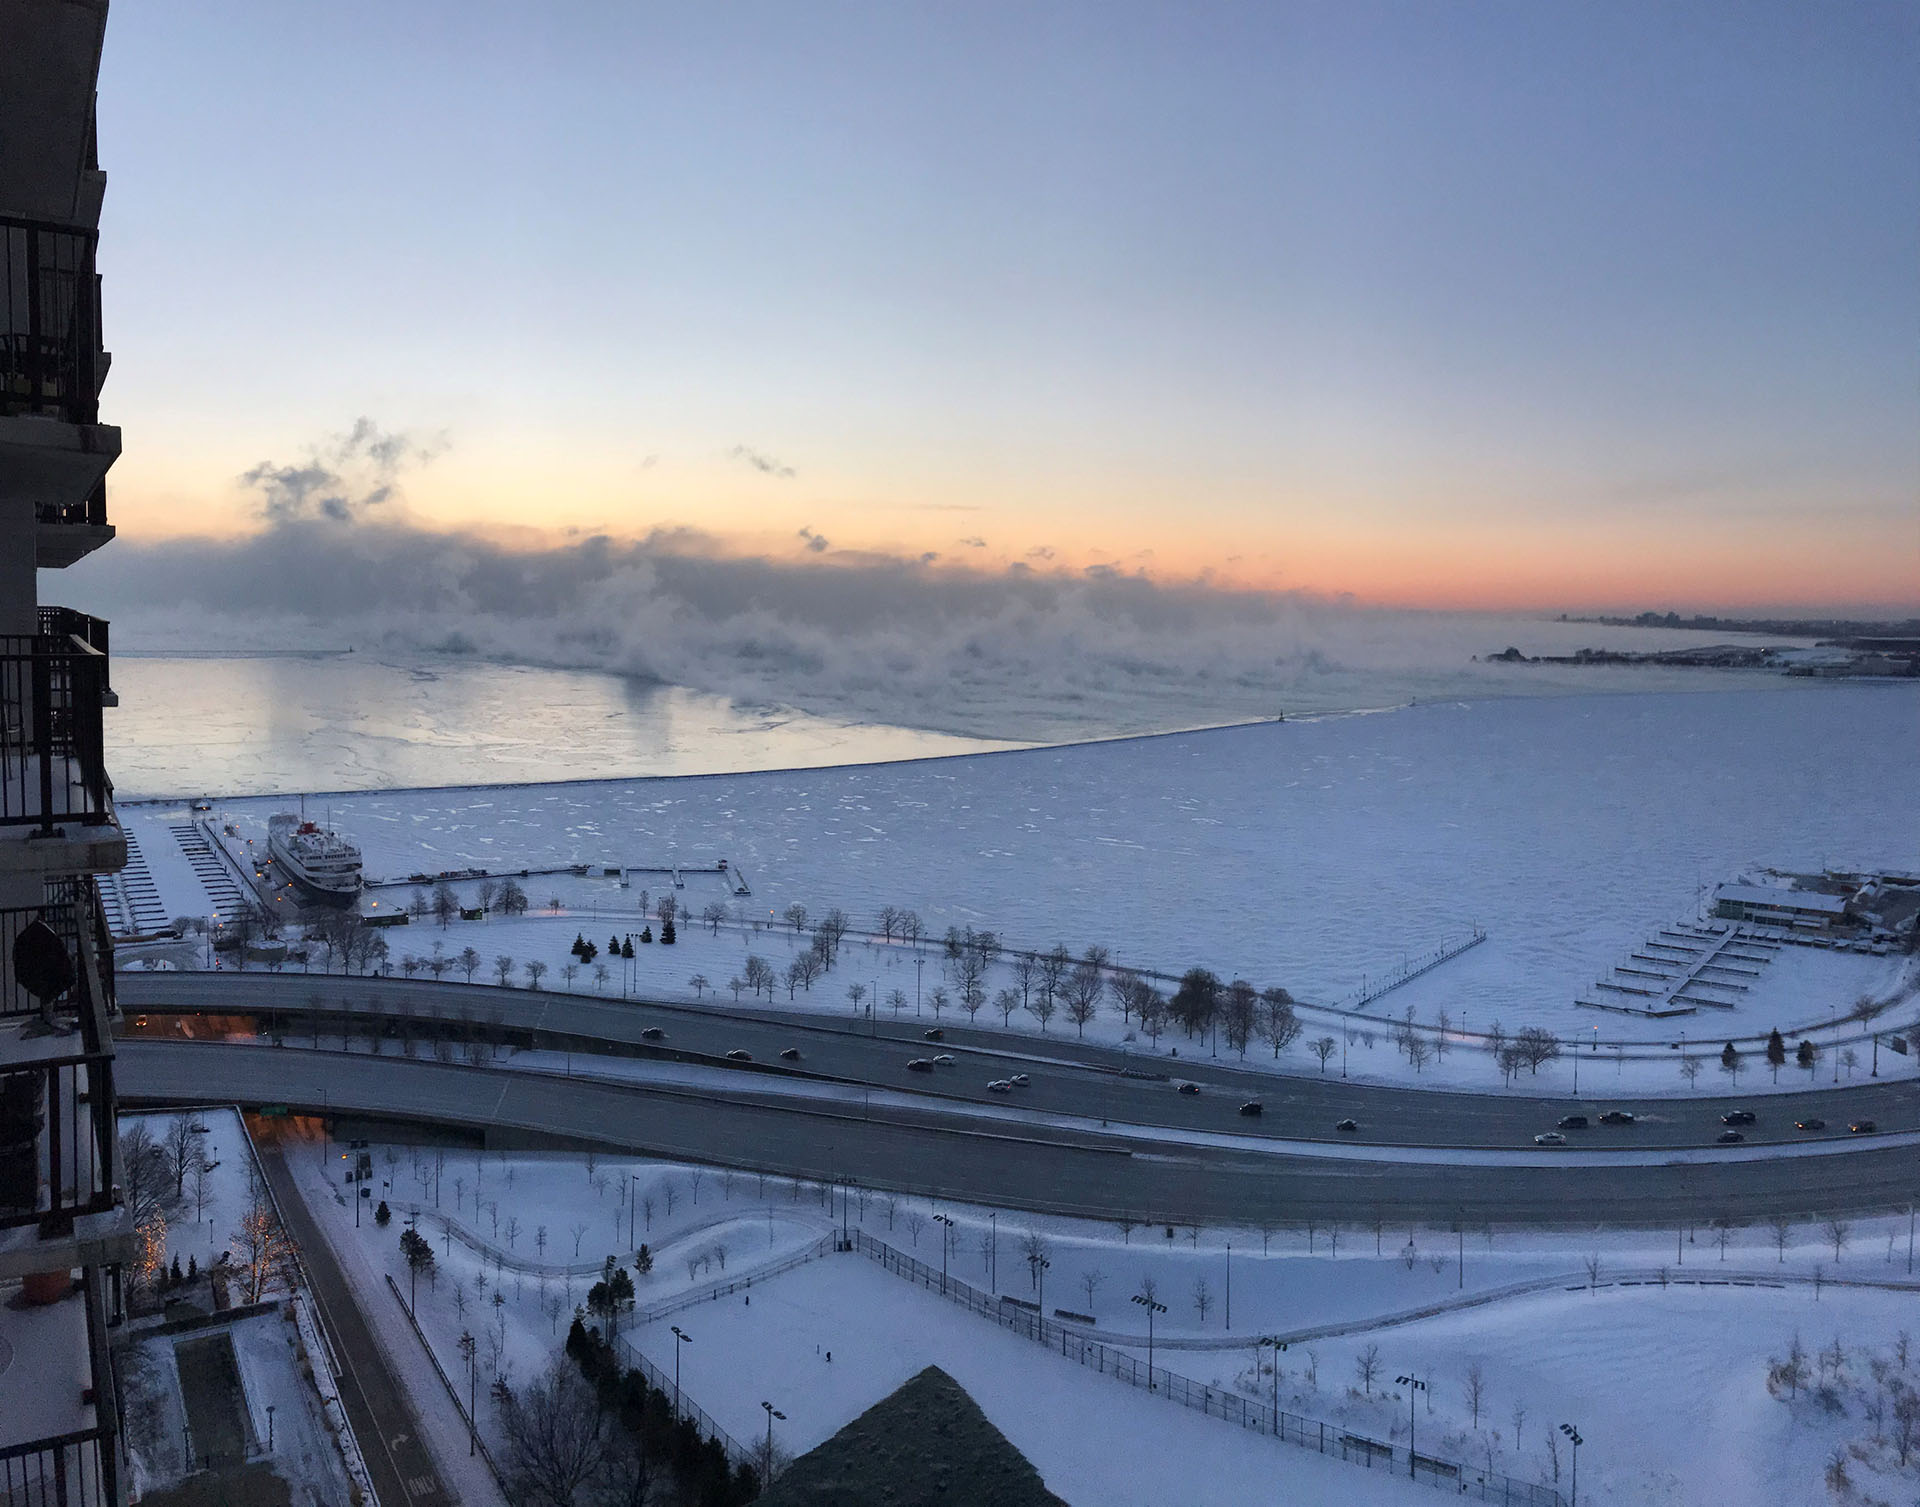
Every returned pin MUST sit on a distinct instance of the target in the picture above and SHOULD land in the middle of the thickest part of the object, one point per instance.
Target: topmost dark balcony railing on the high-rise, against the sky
(51, 358)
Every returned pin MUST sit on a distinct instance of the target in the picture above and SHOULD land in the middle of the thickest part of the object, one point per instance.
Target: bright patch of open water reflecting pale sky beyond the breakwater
(347, 723)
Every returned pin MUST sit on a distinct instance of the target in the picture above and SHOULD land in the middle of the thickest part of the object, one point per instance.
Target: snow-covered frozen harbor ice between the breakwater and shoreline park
(1316, 855)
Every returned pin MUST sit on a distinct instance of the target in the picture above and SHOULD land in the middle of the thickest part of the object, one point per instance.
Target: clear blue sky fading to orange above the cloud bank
(1524, 304)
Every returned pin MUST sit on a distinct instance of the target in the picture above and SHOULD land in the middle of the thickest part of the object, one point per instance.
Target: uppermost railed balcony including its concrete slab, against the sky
(53, 448)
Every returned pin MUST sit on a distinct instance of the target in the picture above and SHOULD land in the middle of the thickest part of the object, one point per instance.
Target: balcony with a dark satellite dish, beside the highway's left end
(59, 1126)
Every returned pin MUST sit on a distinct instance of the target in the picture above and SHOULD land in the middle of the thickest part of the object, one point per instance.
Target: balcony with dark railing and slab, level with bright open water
(57, 801)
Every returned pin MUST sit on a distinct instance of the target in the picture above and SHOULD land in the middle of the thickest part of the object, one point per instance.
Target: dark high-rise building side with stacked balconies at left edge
(64, 1226)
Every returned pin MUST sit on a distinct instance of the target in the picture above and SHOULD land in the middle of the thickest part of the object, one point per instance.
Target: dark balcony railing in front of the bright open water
(53, 765)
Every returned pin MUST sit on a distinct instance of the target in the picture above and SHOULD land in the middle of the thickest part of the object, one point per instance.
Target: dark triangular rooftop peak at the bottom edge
(924, 1447)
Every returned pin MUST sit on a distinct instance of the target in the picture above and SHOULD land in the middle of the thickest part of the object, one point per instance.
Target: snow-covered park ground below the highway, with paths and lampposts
(1666, 1383)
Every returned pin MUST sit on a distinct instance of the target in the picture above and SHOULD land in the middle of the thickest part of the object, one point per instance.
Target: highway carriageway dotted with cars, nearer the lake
(1067, 1078)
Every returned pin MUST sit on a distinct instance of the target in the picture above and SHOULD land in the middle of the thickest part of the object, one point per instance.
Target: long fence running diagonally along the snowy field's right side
(1328, 1439)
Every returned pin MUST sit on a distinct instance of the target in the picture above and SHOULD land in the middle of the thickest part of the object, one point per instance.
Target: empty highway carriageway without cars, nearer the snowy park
(938, 1153)
